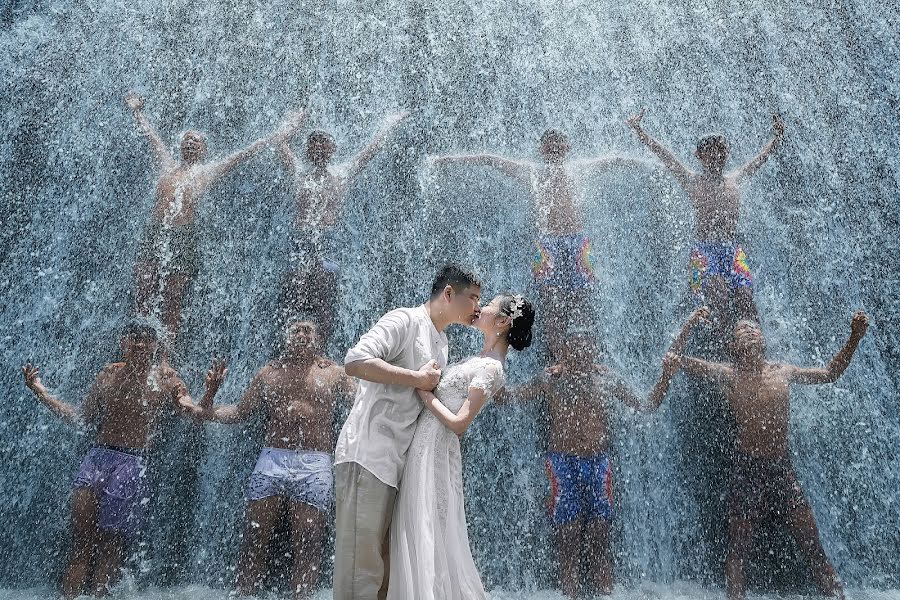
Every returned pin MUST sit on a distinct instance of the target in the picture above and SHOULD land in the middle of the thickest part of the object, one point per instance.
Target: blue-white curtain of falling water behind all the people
(819, 223)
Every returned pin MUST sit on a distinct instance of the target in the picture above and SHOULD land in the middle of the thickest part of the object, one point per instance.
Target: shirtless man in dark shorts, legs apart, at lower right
(763, 480)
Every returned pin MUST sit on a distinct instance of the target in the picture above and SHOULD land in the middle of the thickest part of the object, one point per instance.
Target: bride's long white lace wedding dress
(430, 555)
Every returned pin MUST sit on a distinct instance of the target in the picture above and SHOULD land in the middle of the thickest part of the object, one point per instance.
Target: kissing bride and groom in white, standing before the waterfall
(401, 523)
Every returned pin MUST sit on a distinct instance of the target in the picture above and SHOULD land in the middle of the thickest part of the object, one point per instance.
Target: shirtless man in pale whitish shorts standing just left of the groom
(299, 392)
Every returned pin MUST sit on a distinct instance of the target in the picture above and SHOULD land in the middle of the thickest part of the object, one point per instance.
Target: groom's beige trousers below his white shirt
(364, 505)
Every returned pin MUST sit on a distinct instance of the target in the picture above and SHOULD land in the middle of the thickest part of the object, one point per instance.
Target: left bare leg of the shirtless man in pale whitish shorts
(262, 516)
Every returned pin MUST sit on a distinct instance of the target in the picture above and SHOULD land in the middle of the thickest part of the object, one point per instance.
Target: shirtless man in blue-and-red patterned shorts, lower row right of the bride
(579, 392)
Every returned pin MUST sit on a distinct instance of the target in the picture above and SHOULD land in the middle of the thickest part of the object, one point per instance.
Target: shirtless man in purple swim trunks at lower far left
(125, 404)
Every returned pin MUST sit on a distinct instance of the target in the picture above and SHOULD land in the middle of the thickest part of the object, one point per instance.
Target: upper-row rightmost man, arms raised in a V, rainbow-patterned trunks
(719, 273)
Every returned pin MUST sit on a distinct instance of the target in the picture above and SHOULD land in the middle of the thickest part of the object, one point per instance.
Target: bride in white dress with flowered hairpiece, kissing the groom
(430, 557)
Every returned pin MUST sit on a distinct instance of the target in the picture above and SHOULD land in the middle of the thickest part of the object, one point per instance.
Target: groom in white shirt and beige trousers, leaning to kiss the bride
(371, 449)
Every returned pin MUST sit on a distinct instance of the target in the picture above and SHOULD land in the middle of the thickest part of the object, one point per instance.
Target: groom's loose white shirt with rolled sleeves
(382, 423)
